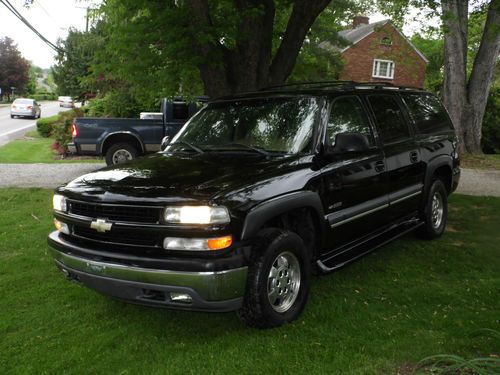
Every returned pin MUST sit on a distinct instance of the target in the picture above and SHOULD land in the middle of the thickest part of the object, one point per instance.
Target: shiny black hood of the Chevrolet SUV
(181, 178)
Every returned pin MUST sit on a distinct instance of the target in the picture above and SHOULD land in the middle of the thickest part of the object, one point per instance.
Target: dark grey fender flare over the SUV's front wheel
(279, 205)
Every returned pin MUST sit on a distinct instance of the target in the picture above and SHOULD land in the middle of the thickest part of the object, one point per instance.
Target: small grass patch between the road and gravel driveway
(34, 149)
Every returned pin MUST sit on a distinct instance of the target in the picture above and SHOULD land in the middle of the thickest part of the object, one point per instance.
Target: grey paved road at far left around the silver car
(15, 128)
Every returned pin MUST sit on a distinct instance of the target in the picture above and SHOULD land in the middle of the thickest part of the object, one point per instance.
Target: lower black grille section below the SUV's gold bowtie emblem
(125, 237)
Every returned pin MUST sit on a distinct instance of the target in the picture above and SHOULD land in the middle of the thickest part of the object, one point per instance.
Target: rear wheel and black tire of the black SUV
(435, 214)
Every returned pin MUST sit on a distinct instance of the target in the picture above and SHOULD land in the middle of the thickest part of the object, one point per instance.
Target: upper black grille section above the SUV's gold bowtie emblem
(137, 214)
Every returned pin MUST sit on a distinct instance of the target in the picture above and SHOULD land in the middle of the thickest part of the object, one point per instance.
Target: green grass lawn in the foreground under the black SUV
(380, 315)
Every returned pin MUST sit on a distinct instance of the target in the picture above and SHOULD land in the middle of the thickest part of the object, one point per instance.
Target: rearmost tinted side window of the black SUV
(427, 112)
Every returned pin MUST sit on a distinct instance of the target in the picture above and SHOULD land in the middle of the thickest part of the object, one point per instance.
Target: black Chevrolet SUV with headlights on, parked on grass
(257, 192)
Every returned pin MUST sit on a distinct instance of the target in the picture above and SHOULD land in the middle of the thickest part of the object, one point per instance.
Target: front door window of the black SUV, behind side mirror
(348, 116)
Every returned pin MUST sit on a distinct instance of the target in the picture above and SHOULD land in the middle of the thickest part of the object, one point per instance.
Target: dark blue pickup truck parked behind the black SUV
(123, 139)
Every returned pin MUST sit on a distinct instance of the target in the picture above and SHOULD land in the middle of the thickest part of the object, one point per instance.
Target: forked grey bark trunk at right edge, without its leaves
(466, 101)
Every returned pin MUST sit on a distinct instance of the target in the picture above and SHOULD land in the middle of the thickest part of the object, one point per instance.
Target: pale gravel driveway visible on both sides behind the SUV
(472, 182)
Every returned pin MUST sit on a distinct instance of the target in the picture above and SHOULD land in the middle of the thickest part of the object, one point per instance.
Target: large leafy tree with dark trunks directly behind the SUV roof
(227, 45)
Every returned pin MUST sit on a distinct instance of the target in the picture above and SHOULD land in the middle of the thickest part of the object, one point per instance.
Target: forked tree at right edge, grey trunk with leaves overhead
(466, 83)
